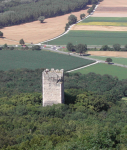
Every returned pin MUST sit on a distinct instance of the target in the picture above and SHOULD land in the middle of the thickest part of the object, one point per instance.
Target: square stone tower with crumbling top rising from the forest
(52, 86)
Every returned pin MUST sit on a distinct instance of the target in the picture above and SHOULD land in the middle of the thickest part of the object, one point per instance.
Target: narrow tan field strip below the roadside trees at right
(108, 53)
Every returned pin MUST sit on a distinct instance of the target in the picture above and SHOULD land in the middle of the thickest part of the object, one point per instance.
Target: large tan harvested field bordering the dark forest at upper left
(37, 32)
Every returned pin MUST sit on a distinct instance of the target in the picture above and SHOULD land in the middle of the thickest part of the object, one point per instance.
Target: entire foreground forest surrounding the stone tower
(93, 116)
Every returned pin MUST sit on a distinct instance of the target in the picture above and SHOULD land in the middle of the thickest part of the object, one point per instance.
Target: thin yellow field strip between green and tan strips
(120, 24)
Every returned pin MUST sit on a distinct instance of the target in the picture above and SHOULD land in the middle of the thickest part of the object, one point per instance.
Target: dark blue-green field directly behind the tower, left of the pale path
(39, 59)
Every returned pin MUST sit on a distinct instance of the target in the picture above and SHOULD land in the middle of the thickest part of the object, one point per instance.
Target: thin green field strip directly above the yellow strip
(105, 19)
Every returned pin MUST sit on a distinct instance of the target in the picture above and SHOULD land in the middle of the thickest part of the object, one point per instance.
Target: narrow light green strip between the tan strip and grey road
(117, 60)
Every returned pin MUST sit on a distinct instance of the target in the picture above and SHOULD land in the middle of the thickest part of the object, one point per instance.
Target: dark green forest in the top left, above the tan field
(21, 11)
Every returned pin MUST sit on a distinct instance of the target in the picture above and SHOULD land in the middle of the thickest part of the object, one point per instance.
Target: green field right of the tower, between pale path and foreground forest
(102, 69)
